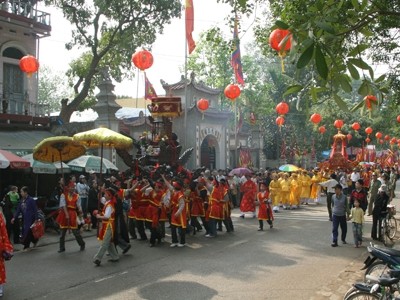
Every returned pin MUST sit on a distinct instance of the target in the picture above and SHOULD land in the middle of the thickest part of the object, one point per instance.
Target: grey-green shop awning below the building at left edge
(21, 142)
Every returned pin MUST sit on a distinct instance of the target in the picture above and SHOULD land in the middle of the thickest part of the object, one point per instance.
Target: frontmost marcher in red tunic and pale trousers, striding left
(106, 234)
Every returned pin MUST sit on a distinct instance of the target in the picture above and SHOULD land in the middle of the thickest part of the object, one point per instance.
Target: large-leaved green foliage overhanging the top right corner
(334, 39)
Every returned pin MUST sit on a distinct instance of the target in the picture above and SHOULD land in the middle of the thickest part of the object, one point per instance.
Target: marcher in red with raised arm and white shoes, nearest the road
(178, 213)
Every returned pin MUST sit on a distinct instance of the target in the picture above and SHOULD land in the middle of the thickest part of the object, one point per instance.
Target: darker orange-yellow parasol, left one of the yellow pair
(58, 148)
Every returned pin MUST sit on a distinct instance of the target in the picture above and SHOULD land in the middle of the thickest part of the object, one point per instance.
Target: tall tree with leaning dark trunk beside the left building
(110, 31)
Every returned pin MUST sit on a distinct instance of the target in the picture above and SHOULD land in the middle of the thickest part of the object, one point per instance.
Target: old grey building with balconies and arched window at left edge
(23, 122)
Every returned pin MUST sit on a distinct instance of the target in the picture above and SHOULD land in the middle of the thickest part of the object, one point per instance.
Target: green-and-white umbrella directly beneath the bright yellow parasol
(89, 163)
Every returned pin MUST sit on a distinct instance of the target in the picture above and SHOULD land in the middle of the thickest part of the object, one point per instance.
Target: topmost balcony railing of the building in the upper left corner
(27, 10)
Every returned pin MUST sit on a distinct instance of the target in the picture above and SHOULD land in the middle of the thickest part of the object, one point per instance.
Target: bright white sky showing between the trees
(168, 50)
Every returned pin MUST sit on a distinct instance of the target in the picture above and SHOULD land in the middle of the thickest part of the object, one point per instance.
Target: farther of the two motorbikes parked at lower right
(380, 260)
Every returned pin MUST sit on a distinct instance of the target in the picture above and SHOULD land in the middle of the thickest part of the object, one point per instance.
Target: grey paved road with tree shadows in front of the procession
(294, 259)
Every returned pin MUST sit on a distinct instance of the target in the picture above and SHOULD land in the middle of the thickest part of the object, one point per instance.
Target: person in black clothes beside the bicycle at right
(379, 212)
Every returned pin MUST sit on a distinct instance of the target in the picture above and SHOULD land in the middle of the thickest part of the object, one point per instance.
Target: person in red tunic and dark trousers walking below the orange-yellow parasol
(67, 218)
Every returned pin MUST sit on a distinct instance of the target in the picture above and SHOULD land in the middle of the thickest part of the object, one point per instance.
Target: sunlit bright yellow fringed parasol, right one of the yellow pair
(103, 137)
